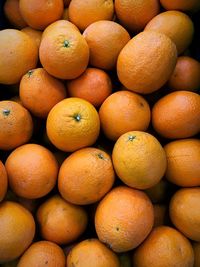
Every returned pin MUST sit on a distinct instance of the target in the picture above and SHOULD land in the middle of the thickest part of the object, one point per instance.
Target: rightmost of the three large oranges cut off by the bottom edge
(164, 247)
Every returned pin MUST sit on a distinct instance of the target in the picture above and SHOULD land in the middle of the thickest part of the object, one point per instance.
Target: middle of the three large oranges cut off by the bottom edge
(90, 253)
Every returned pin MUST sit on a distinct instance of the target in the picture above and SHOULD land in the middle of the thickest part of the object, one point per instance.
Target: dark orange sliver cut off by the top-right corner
(183, 5)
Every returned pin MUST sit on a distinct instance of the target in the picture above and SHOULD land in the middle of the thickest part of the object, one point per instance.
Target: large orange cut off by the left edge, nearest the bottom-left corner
(17, 229)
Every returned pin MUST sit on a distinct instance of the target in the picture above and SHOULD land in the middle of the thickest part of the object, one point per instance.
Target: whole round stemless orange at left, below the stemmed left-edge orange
(32, 171)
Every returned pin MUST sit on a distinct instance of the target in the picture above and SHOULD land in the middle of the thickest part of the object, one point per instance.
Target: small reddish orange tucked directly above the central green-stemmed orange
(94, 85)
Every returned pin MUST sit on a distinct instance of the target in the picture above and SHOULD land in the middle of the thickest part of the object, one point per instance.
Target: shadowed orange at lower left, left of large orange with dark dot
(60, 221)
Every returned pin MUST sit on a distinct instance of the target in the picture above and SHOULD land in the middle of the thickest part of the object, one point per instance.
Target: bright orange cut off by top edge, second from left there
(38, 14)
